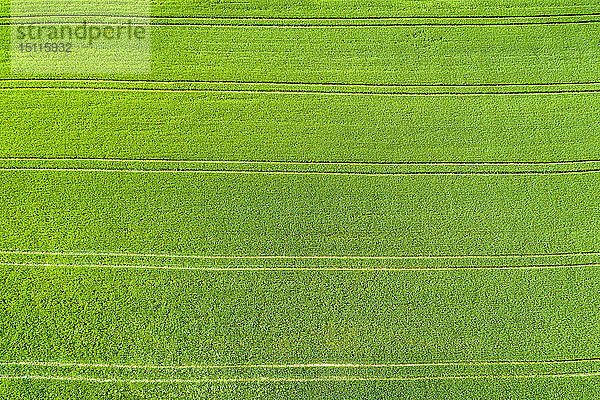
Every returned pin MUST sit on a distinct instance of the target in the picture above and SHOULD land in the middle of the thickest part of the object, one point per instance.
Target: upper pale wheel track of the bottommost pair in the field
(308, 365)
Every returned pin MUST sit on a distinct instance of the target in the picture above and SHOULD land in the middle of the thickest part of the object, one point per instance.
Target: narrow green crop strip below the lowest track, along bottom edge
(482, 389)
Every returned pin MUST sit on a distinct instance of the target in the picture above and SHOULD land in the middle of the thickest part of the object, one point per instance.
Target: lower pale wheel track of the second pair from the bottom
(344, 269)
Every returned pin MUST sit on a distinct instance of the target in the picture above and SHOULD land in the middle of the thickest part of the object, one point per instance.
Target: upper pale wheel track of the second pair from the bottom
(300, 257)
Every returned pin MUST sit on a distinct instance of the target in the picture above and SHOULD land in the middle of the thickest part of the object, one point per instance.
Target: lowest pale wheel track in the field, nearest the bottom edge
(311, 379)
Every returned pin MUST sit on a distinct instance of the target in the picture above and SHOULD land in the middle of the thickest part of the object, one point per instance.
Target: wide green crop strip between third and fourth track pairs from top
(237, 214)
